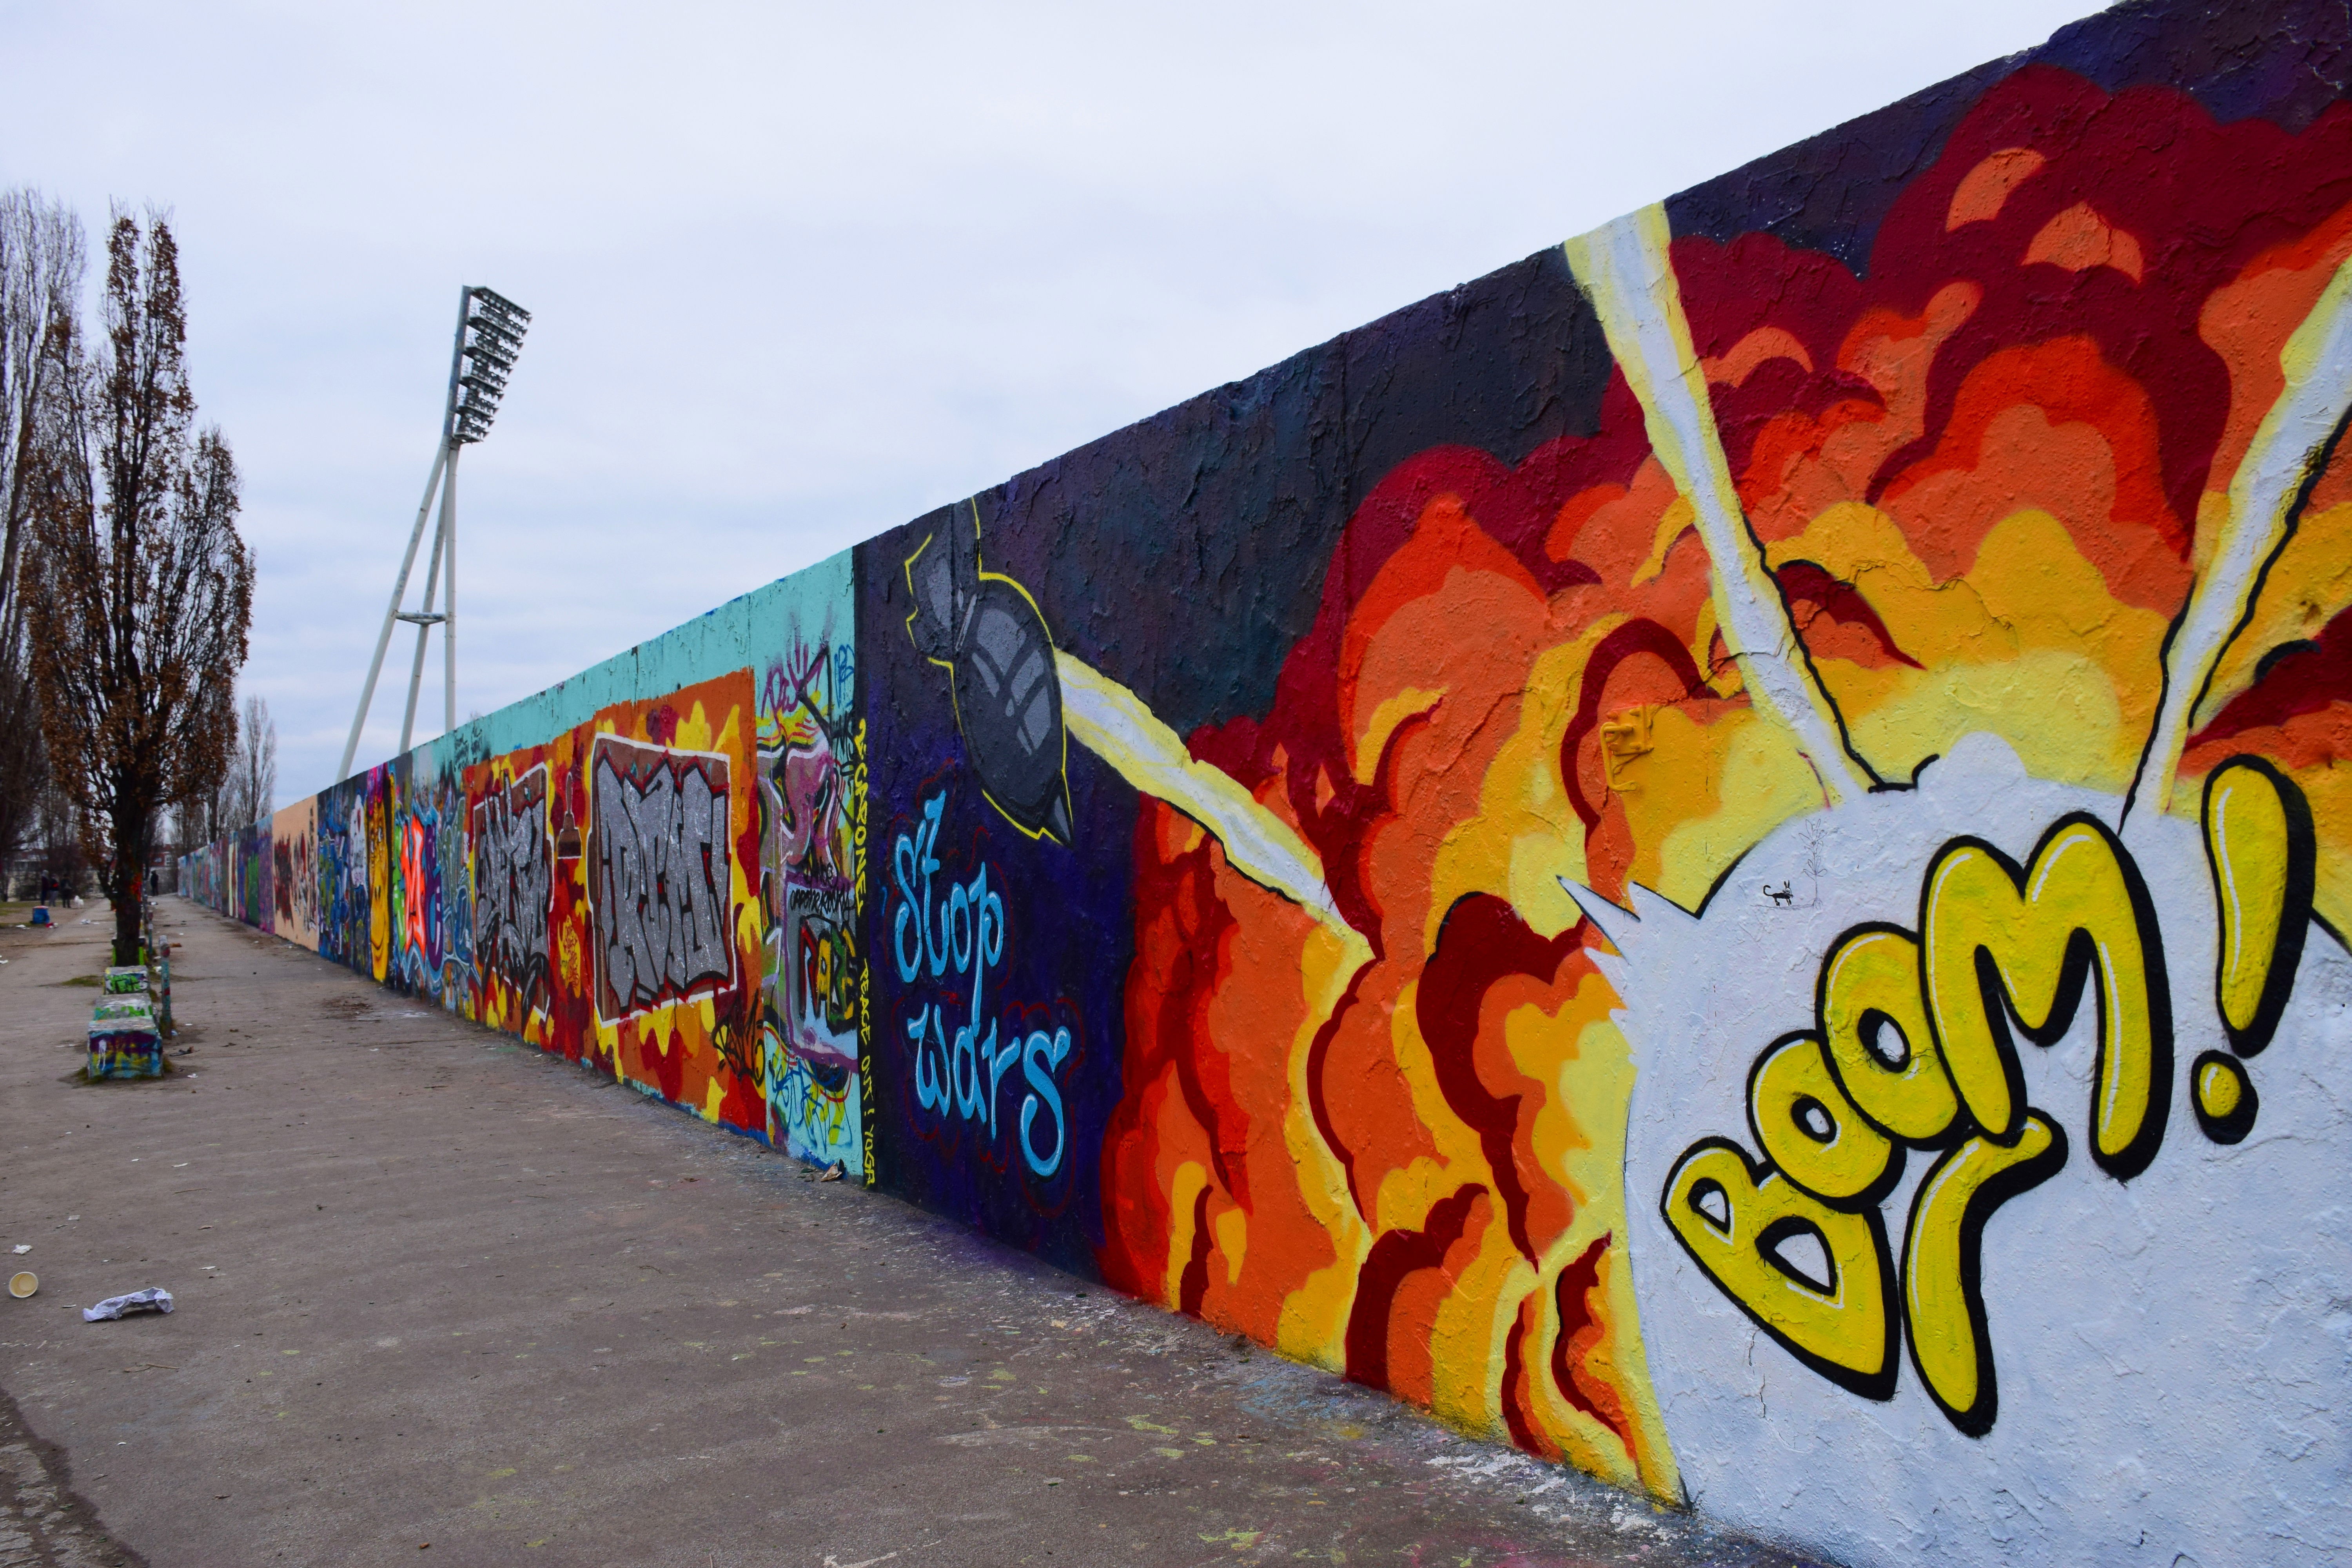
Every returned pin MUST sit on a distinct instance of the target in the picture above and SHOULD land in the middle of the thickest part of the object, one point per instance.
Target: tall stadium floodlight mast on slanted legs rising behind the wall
(488, 340)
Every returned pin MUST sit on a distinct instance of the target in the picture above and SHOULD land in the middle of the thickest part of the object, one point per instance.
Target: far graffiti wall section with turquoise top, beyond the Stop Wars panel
(653, 869)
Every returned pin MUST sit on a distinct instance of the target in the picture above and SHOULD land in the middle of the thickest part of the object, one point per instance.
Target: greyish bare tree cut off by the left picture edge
(41, 279)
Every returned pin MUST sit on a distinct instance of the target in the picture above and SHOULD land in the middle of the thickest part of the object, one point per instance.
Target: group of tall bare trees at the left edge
(126, 591)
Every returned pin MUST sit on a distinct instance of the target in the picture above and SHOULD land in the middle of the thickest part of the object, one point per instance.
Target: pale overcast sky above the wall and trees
(806, 272)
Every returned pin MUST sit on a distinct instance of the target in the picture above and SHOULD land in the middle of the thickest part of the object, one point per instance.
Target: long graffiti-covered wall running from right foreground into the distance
(1720, 855)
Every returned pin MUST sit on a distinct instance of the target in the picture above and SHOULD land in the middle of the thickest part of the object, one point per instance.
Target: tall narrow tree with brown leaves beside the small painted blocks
(138, 589)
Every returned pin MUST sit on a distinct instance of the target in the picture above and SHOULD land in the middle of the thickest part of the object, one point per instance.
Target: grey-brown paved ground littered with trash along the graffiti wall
(450, 1301)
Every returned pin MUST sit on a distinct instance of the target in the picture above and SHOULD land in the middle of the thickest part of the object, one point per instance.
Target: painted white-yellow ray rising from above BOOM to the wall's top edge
(1624, 267)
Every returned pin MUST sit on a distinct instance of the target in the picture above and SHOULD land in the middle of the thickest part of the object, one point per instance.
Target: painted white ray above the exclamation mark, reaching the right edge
(2264, 490)
